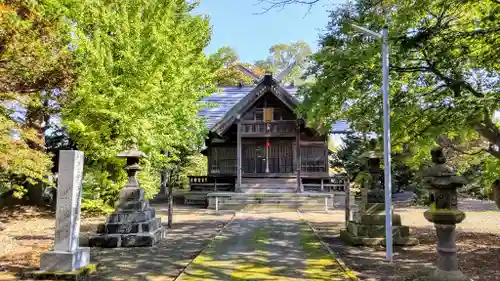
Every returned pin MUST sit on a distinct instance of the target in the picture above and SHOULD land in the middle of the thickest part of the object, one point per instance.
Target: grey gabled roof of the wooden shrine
(230, 101)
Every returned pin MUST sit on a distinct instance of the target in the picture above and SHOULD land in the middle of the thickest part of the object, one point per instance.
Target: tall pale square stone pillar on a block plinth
(67, 255)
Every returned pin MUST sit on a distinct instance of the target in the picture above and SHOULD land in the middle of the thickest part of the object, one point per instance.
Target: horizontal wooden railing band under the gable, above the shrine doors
(260, 128)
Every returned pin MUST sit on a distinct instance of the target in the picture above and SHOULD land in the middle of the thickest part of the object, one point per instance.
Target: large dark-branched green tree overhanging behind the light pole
(444, 67)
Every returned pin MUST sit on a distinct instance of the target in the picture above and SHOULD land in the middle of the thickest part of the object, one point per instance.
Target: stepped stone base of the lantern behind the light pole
(368, 228)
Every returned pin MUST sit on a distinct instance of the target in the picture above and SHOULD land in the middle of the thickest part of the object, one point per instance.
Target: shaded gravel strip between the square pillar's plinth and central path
(191, 232)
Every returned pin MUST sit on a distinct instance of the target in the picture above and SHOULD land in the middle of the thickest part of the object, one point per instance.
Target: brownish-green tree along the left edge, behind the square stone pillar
(35, 61)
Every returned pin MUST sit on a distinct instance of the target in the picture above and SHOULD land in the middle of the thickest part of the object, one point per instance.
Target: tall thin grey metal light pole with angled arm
(387, 134)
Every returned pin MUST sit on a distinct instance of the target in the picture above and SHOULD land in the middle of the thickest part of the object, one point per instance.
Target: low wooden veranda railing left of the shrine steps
(212, 183)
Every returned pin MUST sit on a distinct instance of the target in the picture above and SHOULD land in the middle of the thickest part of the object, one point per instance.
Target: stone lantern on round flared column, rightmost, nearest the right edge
(442, 183)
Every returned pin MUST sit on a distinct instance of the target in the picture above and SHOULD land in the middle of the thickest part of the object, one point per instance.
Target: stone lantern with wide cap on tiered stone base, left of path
(134, 223)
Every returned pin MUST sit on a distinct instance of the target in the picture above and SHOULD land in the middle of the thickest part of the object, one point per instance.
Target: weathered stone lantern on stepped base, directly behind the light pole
(367, 226)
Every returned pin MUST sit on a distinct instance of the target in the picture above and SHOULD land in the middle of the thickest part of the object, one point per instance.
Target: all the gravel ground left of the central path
(31, 233)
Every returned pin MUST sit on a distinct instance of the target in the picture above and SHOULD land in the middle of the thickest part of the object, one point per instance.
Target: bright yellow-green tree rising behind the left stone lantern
(141, 73)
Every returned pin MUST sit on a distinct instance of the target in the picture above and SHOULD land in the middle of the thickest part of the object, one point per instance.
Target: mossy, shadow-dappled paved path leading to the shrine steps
(269, 246)
